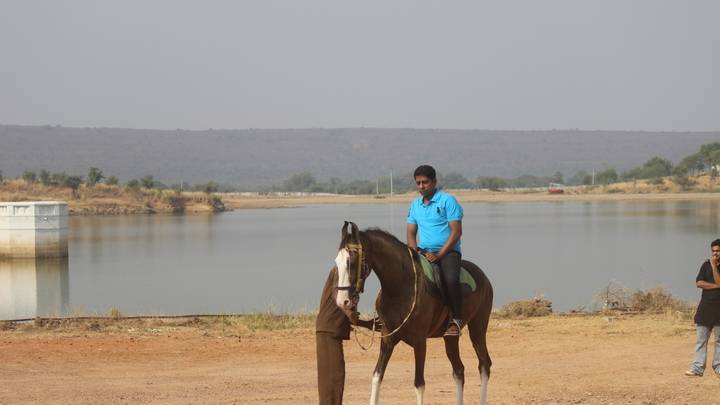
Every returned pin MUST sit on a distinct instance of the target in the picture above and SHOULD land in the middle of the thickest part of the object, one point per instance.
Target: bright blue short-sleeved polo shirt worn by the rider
(432, 220)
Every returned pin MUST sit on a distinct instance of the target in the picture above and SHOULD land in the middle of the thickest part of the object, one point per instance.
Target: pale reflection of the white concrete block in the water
(34, 287)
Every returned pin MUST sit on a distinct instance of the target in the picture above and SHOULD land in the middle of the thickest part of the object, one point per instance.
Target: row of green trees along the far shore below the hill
(706, 159)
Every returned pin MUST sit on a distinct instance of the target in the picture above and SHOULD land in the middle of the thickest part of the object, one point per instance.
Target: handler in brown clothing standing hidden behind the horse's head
(331, 328)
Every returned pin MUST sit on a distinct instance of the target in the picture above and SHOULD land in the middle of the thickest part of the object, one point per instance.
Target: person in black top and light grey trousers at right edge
(707, 316)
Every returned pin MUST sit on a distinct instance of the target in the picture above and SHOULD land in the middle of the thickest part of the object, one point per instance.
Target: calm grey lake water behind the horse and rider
(250, 260)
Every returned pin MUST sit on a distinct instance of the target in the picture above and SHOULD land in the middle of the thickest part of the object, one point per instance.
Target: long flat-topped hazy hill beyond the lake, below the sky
(256, 157)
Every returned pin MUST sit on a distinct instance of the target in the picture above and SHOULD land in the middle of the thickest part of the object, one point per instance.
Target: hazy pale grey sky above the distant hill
(624, 64)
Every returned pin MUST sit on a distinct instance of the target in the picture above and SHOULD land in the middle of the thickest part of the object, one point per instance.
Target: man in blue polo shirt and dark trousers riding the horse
(438, 218)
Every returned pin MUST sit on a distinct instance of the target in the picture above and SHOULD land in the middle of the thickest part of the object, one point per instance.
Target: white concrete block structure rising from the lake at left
(33, 229)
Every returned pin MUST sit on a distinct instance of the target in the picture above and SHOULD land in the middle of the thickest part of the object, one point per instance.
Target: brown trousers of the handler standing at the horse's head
(331, 368)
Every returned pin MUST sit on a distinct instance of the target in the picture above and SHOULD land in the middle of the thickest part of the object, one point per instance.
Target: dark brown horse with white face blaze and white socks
(406, 307)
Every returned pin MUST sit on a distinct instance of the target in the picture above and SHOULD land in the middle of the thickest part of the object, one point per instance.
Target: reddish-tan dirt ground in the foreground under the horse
(599, 359)
